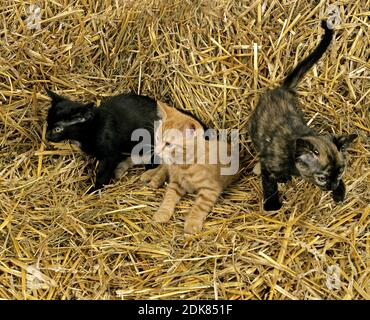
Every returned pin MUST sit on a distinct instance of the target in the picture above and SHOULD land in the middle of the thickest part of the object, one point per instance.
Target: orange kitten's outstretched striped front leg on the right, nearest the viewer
(203, 205)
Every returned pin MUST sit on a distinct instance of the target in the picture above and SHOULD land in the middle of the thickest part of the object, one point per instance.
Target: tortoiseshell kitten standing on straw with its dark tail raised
(287, 146)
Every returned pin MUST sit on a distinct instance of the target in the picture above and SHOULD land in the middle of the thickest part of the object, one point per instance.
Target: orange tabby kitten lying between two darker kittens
(201, 176)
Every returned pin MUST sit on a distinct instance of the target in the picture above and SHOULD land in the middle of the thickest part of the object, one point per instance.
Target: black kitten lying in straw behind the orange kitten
(103, 132)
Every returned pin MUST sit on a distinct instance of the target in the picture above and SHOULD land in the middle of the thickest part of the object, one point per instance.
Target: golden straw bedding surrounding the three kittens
(213, 58)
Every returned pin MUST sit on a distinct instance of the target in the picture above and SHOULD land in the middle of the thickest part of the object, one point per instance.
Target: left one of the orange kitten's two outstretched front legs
(173, 194)
